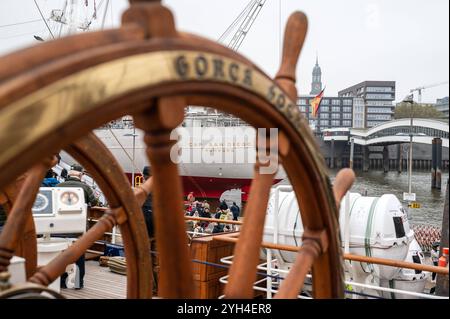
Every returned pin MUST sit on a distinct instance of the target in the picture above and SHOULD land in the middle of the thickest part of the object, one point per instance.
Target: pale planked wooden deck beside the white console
(99, 283)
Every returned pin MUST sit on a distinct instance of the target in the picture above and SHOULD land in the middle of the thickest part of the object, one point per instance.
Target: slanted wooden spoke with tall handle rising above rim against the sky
(246, 256)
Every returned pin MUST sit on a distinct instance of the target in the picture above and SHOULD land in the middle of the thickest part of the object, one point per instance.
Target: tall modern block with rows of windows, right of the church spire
(378, 97)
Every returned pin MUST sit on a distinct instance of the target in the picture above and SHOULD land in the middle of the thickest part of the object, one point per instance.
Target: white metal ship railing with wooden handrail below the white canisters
(267, 266)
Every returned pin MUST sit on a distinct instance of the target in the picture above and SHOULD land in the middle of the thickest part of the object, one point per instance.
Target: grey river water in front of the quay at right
(377, 183)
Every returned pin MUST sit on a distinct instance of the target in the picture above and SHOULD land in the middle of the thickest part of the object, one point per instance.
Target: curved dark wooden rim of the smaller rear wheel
(96, 158)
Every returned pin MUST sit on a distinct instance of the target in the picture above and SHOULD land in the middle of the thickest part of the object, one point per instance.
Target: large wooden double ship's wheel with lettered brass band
(54, 94)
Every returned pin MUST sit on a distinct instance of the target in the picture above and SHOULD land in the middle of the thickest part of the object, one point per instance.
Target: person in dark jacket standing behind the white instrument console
(74, 180)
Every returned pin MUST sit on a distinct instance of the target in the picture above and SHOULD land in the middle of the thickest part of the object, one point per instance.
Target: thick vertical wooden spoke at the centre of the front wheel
(175, 267)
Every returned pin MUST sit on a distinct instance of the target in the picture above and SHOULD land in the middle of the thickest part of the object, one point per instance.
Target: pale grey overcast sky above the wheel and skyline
(403, 40)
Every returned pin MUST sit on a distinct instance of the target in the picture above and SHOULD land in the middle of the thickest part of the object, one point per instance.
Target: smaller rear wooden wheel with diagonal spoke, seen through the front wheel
(93, 155)
